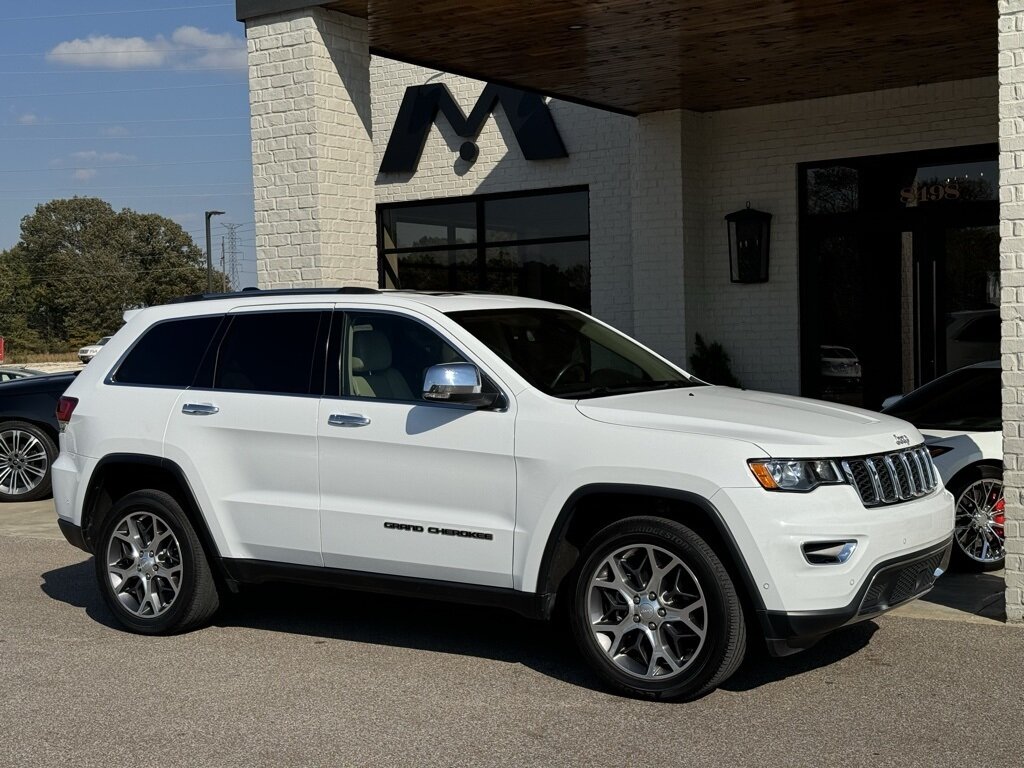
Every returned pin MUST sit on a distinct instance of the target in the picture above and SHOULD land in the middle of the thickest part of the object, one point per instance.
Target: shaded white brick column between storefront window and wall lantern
(657, 188)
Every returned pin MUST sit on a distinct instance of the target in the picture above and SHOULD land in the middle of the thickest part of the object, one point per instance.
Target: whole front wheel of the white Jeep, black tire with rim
(654, 648)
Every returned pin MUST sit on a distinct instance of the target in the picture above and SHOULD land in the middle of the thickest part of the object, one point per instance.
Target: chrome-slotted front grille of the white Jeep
(891, 479)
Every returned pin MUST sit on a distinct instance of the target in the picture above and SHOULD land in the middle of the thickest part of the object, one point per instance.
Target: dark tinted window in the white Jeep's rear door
(270, 353)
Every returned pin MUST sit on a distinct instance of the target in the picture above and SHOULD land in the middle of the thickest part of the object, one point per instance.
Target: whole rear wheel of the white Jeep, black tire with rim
(151, 567)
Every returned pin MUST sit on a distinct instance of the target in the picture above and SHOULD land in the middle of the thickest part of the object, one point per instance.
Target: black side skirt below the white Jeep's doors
(529, 605)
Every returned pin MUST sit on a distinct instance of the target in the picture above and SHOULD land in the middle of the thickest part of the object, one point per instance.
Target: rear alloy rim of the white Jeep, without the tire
(144, 565)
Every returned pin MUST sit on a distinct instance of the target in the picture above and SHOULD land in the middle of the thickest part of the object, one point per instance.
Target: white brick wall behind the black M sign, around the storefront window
(599, 144)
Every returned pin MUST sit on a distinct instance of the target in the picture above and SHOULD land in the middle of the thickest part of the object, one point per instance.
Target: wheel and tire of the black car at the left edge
(27, 455)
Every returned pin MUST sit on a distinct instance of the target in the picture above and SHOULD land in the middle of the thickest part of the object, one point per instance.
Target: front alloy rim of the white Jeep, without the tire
(648, 612)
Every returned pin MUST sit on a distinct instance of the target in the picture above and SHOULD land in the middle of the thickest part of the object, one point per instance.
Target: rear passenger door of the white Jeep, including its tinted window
(249, 436)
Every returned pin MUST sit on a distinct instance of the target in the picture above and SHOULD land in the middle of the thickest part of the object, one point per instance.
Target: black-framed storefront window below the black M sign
(535, 245)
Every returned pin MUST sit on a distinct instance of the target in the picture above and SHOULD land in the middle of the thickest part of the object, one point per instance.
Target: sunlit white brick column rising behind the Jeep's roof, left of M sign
(313, 150)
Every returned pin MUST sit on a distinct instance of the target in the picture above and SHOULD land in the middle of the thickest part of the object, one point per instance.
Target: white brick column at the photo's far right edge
(1012, 285)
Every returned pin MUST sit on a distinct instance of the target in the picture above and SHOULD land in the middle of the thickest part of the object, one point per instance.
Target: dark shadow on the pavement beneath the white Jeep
(327, 615)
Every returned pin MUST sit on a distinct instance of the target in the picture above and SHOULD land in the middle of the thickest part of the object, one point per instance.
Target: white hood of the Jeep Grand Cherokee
(782, 425)
